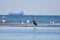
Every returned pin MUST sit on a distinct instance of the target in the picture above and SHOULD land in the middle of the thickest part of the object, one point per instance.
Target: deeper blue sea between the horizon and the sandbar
(24, 18)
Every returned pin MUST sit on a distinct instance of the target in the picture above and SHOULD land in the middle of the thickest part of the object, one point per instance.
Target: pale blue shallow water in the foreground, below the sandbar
(29, 33)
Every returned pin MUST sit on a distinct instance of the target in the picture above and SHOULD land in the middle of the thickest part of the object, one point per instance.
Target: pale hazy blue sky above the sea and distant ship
(39, 7)
